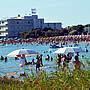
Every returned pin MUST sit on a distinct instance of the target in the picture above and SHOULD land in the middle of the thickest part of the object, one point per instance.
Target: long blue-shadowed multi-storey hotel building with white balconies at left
(13, 26)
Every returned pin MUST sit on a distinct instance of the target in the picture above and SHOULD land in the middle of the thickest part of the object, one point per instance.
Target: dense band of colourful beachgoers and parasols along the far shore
(58, 39)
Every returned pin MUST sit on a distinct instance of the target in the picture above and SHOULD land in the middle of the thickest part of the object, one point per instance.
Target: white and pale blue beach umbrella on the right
(69, 50)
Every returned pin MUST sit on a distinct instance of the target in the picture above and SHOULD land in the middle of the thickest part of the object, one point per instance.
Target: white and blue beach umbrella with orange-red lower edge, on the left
(26, 52)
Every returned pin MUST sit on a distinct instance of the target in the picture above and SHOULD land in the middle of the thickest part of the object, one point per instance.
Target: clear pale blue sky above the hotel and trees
(68, 12)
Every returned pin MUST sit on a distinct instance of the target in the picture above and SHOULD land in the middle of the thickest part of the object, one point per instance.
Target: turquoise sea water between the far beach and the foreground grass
(12, 65)
